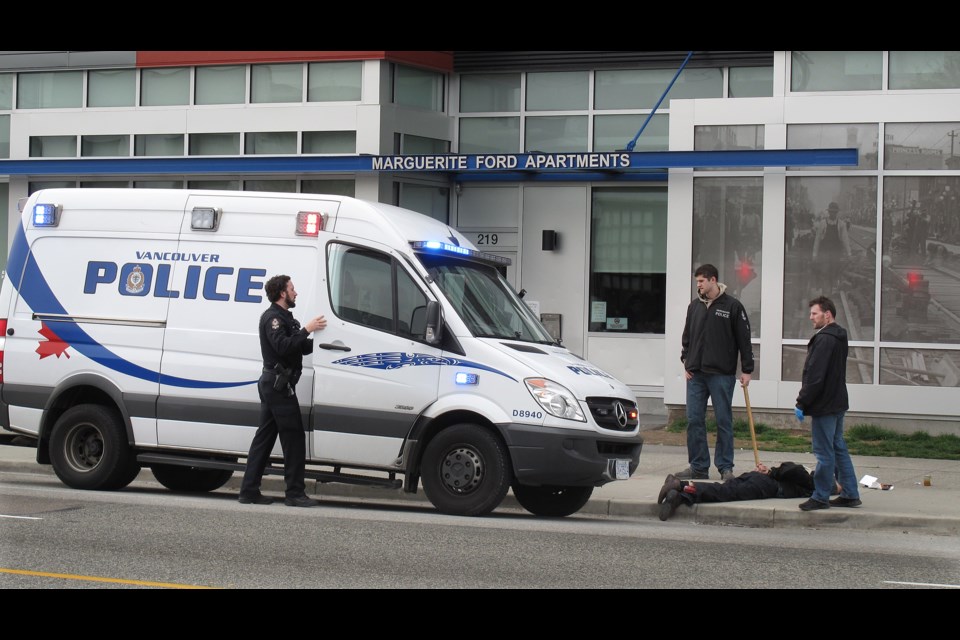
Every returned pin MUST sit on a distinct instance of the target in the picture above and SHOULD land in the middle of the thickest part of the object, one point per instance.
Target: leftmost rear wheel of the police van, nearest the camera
(89, 449)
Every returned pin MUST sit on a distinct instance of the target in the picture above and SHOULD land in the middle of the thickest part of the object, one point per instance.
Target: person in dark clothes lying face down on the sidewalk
(789, 480)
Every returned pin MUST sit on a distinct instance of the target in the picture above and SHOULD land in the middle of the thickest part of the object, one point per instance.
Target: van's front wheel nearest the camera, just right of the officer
(482, 467)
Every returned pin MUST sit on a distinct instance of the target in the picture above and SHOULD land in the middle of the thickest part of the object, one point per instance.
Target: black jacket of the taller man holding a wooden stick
(713, 336)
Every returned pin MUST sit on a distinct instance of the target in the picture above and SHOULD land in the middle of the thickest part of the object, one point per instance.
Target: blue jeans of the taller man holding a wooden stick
(720, 390)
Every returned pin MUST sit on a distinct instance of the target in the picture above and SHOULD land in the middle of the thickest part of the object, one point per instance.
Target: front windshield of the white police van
(485, 301)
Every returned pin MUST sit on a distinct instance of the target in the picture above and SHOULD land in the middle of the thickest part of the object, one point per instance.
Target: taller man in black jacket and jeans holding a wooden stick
(716, 332)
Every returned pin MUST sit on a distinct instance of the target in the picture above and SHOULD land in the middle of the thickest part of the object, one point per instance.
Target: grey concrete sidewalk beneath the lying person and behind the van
(910, 507)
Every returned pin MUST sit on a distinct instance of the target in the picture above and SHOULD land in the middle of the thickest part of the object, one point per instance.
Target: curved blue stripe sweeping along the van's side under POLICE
(28, 279)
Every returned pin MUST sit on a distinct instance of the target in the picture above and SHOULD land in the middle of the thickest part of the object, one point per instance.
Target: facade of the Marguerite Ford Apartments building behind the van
(605, 256)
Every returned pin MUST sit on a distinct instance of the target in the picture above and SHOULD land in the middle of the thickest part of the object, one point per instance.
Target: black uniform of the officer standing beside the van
(281, 340)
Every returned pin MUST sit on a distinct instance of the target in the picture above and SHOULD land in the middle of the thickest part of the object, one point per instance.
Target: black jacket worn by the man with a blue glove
(824, 389)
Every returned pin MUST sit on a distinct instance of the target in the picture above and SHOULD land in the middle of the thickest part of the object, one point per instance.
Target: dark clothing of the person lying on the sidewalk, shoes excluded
(789, 480)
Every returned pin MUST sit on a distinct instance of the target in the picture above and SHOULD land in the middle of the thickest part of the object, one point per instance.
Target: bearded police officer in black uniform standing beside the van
(283, 342)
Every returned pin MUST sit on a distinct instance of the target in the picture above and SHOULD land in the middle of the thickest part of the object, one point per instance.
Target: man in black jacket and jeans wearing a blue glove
(823, 396)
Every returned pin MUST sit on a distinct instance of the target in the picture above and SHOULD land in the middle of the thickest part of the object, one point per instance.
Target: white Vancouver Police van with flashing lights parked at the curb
(129, 340)
